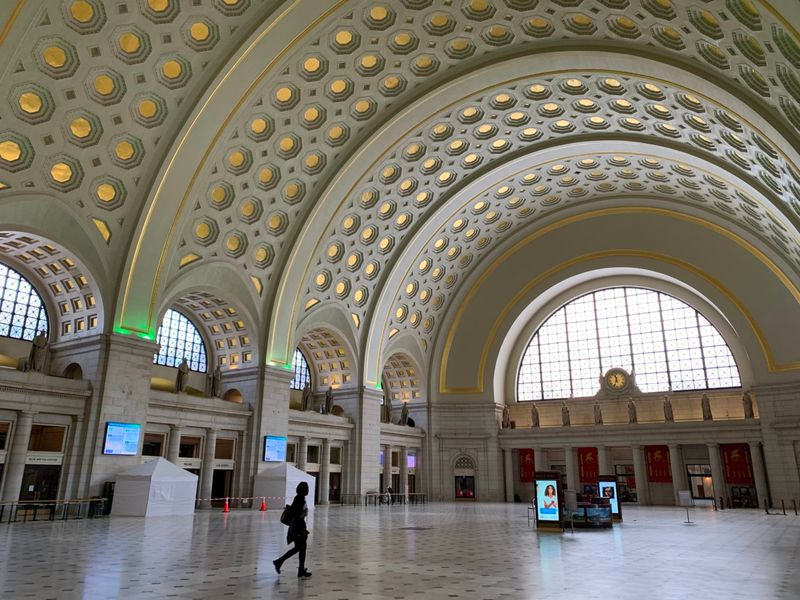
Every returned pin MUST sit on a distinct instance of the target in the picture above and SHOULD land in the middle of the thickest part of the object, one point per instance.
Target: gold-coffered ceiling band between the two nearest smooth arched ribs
(370, 59)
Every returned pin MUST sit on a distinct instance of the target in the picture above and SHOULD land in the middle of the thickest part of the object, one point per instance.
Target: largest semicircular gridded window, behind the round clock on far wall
(663, 341)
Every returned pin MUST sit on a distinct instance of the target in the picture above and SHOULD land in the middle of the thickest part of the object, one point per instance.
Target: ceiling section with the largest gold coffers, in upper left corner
(95, 91)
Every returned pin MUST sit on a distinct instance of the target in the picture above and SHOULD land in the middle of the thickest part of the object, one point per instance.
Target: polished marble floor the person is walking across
(434, 551)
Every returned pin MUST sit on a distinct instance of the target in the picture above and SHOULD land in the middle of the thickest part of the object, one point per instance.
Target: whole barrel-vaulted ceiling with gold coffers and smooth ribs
(371, 155)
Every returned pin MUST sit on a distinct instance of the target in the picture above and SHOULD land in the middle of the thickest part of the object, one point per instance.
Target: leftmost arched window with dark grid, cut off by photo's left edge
(22, 312)
